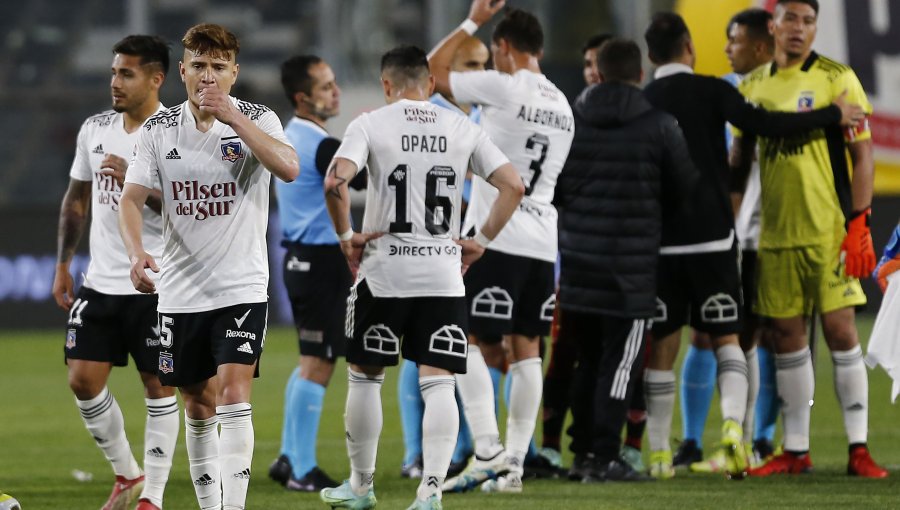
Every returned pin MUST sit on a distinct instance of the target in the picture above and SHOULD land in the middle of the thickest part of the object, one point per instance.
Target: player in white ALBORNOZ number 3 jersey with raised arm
(510, 294)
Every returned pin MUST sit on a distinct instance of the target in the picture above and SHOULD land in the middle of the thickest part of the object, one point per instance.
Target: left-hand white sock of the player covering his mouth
(202, 441)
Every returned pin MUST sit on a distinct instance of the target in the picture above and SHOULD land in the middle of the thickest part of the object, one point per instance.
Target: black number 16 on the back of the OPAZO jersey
(438, 207)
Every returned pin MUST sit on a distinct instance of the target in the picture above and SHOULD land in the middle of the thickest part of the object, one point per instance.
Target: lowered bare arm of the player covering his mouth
(131, 206)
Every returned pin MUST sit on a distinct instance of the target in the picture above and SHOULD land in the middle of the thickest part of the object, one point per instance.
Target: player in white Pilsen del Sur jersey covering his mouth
(212, 156)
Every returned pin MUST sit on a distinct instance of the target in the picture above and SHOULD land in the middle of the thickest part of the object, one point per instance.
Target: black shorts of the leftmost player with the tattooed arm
(107, 328)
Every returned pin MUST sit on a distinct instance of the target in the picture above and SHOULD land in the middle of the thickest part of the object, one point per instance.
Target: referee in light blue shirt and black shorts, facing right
(315, 272)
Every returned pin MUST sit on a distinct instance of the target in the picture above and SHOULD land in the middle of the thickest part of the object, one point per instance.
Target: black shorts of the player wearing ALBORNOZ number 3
(509, 294)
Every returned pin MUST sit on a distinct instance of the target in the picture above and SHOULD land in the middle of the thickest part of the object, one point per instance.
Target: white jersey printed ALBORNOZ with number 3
(531, 121)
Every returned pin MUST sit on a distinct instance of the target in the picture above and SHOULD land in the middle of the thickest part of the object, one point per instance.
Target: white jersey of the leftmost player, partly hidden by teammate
(110, 270)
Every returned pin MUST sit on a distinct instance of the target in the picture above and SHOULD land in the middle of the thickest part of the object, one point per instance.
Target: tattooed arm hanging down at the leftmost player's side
(72, 220)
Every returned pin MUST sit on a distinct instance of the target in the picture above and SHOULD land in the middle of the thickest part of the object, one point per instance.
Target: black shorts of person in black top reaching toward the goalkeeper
(702, 290)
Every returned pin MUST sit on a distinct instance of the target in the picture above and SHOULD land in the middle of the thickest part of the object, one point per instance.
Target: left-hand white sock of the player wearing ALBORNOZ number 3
(478, 404)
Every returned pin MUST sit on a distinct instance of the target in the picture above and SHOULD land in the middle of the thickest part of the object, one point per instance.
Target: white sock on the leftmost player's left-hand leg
(103, 419)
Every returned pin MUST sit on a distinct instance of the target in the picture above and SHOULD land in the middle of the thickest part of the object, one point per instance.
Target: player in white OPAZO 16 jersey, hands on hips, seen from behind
(408, 264)
